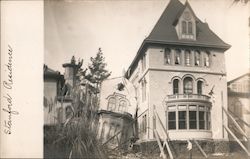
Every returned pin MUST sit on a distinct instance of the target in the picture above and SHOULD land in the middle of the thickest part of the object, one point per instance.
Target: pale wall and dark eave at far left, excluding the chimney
(53, 82)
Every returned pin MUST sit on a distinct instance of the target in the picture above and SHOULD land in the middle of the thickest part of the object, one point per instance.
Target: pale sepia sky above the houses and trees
(80, 27)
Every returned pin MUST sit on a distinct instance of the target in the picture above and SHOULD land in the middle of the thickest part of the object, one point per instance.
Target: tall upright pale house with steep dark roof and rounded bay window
(179, 71)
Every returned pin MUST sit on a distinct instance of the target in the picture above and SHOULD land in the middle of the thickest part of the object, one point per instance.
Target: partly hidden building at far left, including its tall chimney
(58, 92)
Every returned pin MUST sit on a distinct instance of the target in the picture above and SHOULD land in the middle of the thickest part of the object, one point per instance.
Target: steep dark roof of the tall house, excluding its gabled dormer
(164, 31)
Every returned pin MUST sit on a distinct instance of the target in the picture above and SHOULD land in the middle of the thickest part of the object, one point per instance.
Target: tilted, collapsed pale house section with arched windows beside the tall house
(116, 112)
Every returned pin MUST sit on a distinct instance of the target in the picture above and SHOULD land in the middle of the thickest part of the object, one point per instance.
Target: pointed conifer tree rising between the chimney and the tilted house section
(97, 70)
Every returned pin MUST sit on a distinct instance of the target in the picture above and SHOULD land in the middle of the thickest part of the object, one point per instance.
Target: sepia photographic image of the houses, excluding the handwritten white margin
(146, 79)
